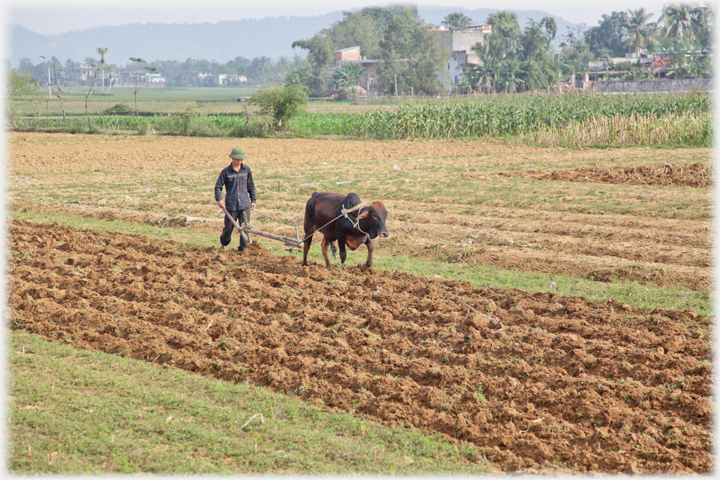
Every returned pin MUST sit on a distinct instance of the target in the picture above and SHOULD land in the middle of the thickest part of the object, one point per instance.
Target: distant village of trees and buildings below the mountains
(472, 58)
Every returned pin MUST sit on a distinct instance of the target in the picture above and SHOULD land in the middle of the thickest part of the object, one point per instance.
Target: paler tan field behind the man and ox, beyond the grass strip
(636, 240)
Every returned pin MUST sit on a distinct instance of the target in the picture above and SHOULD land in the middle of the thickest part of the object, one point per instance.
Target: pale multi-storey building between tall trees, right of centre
(459, 43)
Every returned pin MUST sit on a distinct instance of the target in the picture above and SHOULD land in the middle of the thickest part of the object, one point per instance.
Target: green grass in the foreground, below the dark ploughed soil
(78, 412)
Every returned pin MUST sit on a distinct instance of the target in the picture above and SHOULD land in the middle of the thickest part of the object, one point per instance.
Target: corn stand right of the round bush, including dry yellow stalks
(683, 119)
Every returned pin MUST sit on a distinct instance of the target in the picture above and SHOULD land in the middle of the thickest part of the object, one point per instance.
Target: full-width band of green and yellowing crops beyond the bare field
(587, 119)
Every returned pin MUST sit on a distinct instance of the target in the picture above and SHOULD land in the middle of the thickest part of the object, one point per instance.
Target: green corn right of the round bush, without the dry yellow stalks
(496, 116)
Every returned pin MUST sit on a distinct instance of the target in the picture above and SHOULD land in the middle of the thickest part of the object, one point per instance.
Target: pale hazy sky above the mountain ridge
(47, 17)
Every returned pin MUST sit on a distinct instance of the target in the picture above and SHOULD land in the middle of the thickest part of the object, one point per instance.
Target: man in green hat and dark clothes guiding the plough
(239, 197)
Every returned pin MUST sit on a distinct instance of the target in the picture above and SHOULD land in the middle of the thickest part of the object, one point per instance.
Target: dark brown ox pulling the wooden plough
(361, 227)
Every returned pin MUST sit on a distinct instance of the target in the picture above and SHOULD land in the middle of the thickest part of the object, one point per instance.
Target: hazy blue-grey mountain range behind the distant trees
(222, 41)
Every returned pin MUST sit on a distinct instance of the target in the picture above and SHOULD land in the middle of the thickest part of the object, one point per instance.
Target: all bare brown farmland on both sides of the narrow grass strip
(536, 381)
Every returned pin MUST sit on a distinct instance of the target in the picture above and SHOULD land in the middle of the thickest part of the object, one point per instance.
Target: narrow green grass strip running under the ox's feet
(634, 294)
